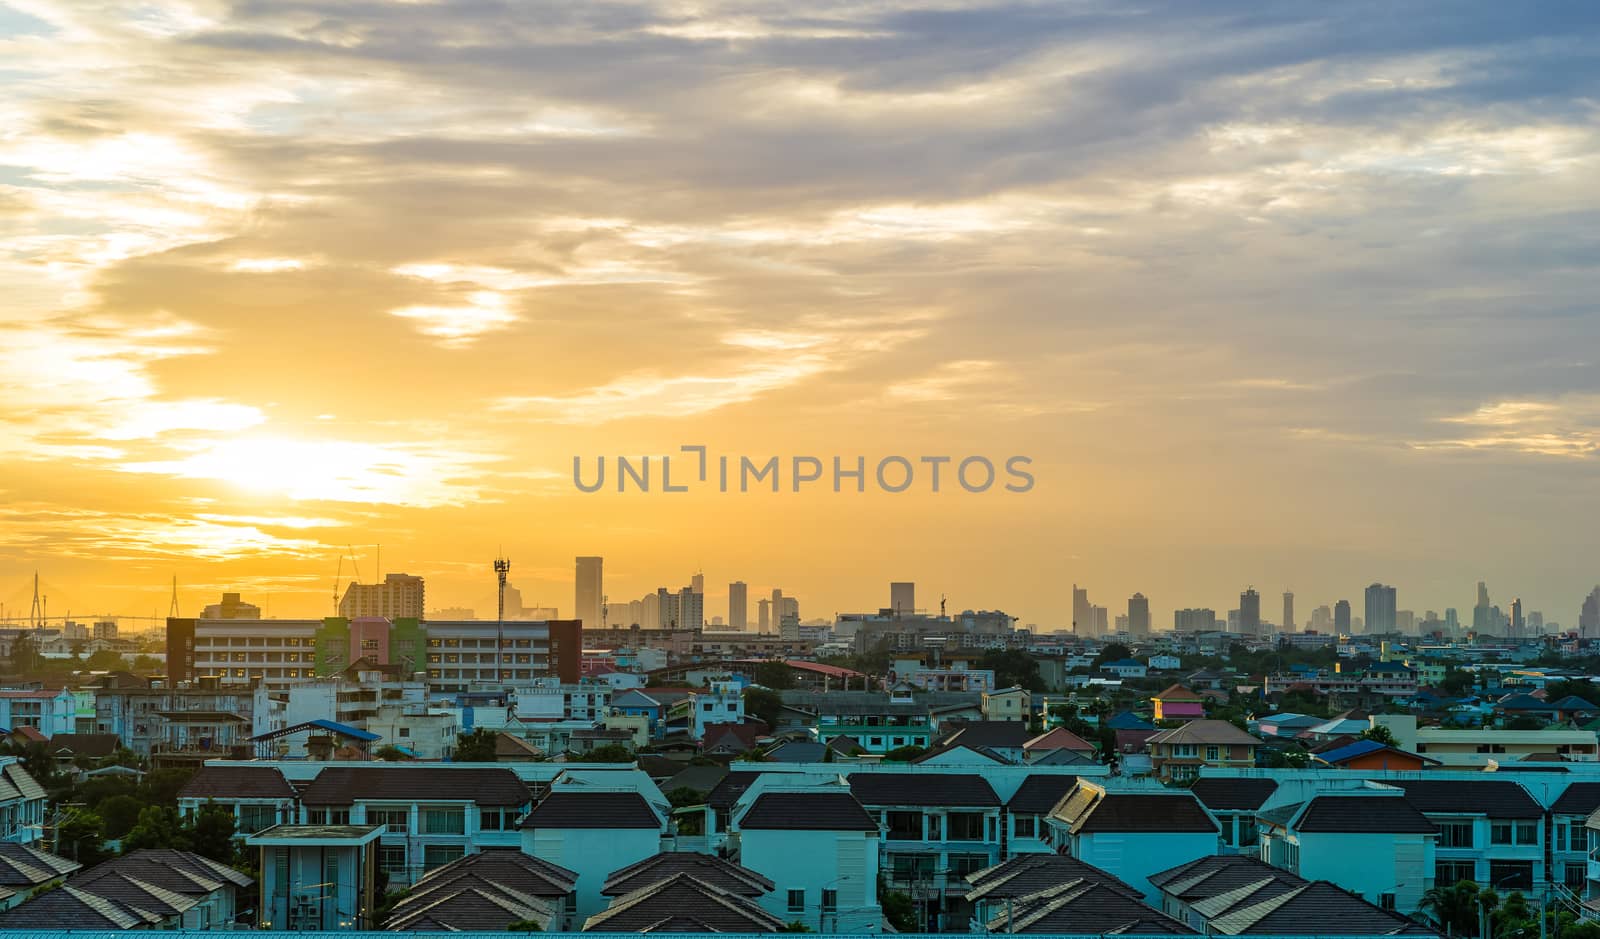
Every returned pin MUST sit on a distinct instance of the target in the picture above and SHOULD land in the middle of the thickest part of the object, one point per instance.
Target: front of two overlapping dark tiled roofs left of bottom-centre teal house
(682, 905)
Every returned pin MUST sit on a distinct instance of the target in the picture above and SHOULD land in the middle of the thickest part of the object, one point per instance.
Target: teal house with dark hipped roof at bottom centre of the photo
(826, 826)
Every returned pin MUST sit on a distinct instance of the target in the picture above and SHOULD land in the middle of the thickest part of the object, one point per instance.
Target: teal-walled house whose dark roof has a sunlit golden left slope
(1132, 833)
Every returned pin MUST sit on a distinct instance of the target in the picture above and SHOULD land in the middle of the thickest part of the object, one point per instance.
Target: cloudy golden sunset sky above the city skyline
(1297, 297)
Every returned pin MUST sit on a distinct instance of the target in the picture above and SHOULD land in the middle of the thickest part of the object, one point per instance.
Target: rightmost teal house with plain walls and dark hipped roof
(1318, 839)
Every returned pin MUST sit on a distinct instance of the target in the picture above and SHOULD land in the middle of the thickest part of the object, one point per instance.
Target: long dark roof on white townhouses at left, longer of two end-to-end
(481, 785)
